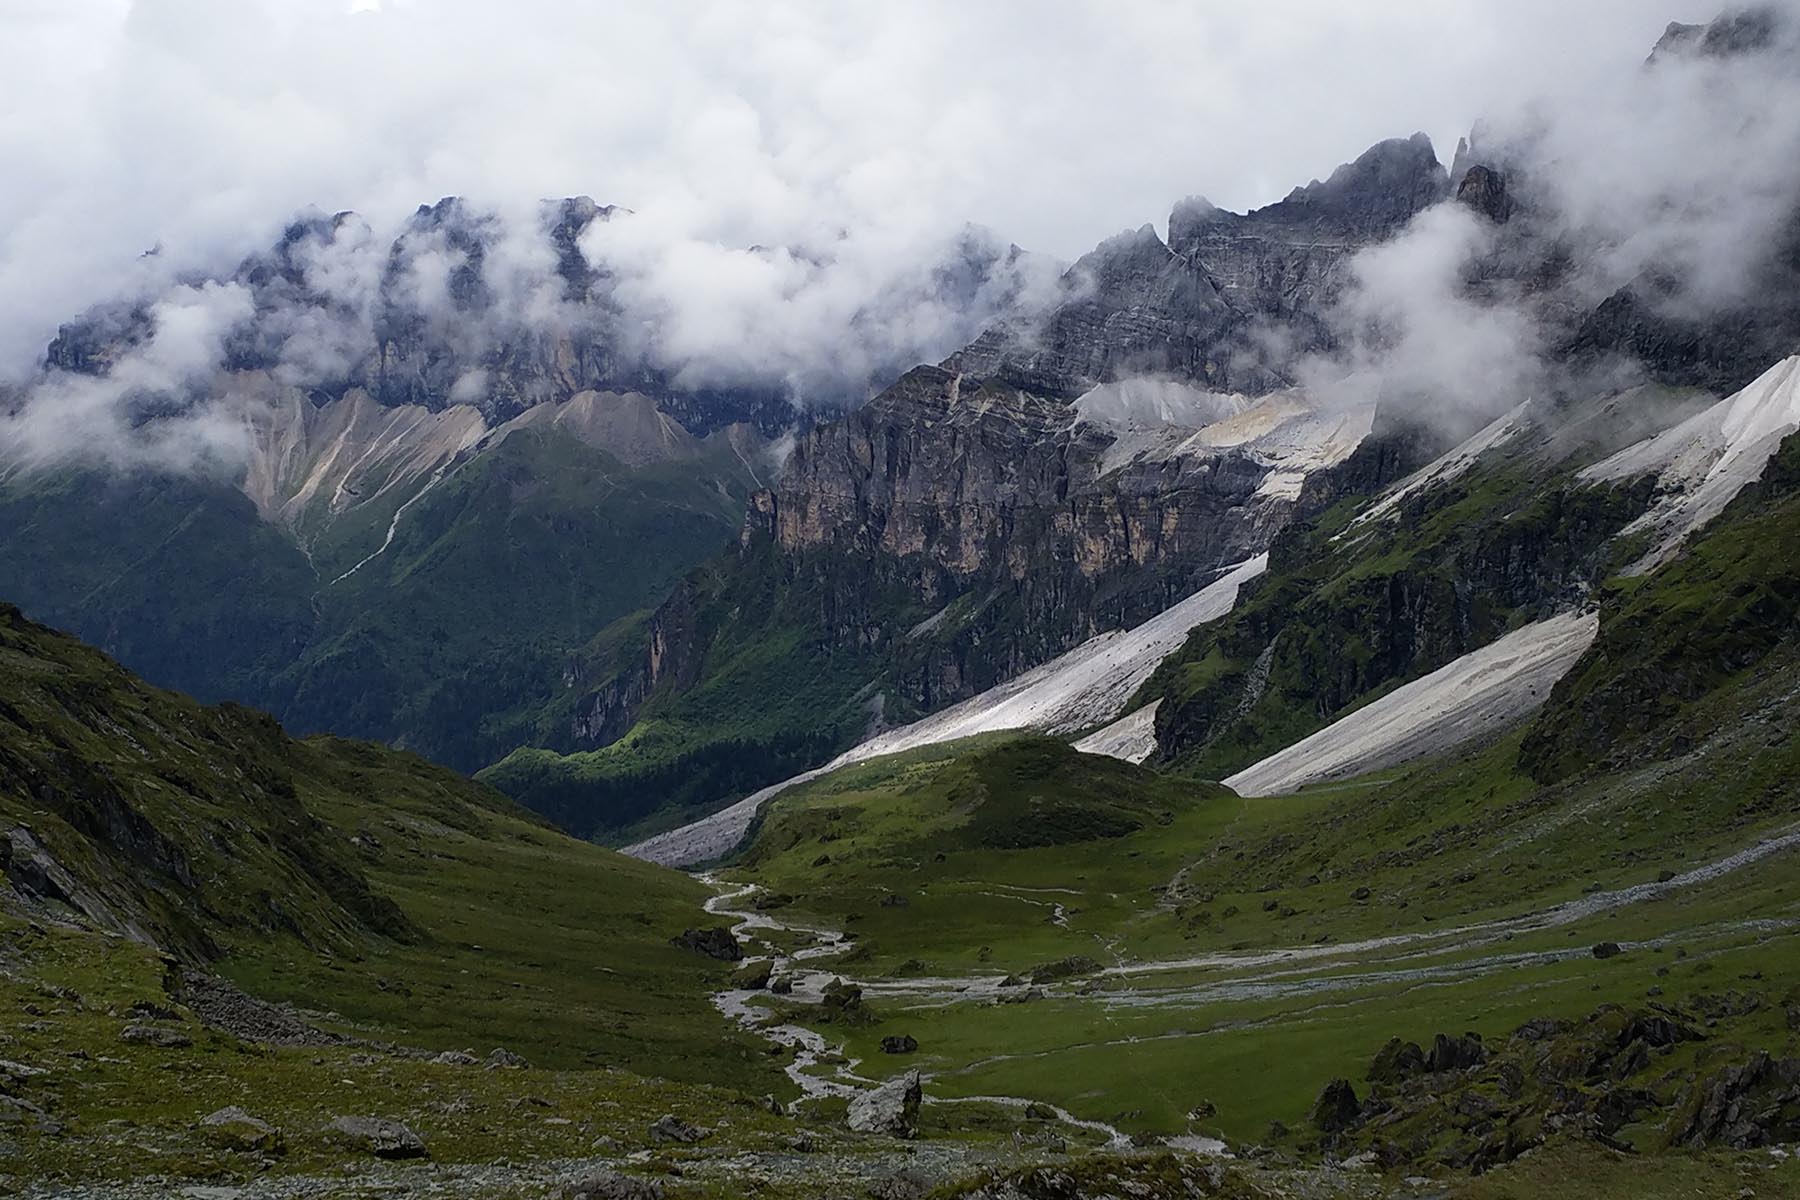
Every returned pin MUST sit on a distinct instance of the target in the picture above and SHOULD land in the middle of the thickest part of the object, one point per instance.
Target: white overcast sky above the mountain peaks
(202, 125)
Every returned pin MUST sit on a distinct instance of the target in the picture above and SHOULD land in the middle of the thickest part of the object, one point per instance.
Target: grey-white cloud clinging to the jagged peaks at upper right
(1678, 172)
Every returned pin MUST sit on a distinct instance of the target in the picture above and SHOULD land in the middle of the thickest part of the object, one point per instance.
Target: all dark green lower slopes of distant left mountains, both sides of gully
(453, 641)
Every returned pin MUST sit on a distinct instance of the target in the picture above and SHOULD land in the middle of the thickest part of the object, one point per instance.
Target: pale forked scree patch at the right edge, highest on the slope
(1705, 461)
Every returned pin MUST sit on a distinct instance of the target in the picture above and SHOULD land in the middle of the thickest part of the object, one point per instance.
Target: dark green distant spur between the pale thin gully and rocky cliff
(456, 640)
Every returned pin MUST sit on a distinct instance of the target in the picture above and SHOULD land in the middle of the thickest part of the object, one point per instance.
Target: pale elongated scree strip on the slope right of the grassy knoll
(1480, 694)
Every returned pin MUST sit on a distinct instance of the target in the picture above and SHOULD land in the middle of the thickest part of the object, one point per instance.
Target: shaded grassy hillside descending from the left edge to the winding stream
(408, 902)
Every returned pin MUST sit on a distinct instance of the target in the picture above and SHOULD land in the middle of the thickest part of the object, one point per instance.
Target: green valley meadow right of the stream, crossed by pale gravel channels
(1291, 980)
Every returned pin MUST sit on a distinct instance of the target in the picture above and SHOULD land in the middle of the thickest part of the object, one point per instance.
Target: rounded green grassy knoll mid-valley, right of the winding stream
(980, 841)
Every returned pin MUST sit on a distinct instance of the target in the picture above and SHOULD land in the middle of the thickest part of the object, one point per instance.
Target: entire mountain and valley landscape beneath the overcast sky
(1295, 703)
